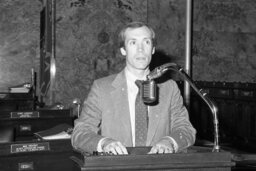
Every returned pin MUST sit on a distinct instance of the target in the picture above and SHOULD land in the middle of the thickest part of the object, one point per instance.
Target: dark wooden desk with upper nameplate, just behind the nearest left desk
(26, 123)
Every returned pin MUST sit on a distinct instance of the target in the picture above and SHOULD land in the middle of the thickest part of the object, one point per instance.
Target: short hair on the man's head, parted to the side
(121, 36)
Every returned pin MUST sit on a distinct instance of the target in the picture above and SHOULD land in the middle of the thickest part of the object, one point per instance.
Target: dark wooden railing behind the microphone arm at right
(237, 112)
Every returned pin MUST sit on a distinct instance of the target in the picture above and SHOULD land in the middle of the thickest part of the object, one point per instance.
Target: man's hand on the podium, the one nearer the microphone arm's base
(165, 145)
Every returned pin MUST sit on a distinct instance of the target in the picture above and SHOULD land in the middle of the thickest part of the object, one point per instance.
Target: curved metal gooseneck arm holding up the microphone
(159, 71)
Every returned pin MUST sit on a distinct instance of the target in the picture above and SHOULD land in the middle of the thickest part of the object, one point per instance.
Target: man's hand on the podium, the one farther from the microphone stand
(112, 146)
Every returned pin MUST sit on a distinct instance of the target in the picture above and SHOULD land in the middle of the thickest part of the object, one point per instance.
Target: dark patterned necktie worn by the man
(141, 115)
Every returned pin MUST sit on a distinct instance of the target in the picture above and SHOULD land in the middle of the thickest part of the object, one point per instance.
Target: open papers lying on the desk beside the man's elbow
(62, 131)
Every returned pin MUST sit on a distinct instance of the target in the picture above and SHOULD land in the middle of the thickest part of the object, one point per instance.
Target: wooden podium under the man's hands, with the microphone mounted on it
(196, 158)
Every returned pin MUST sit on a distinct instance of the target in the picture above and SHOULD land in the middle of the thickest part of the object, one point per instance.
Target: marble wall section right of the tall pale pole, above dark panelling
(224, 42)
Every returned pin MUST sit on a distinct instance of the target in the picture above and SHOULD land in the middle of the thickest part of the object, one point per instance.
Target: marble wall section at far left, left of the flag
(19, 45)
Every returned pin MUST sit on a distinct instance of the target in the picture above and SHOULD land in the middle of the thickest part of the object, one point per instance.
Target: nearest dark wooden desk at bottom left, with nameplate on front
(36, 155)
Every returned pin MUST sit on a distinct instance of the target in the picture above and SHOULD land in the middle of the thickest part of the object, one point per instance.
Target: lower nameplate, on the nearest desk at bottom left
(30, 147)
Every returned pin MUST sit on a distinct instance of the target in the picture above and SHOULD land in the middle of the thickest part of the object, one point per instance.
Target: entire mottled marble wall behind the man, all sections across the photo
(223, 48)
